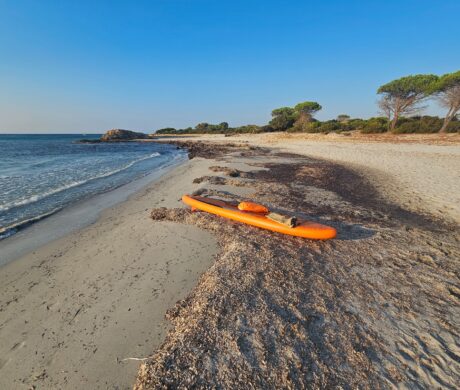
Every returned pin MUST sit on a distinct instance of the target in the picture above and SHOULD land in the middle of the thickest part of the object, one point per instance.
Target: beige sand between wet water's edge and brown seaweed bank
(72, 310)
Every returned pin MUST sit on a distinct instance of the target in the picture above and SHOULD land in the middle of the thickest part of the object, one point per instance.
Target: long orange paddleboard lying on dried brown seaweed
(306, 229)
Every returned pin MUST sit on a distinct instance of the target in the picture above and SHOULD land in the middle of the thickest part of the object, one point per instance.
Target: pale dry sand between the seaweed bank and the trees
(419, 172)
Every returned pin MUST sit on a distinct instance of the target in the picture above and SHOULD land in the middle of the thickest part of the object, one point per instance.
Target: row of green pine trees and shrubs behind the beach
(400, 100)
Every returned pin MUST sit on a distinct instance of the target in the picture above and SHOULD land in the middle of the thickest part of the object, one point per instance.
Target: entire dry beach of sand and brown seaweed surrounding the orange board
(375, 308)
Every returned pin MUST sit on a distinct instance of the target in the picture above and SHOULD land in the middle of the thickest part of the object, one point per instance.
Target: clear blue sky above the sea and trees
(87, 66)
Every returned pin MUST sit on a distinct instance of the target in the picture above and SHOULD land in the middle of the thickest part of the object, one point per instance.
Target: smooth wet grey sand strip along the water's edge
(75, 216)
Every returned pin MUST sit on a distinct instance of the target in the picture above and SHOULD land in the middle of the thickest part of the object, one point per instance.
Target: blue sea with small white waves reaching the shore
(42, 174)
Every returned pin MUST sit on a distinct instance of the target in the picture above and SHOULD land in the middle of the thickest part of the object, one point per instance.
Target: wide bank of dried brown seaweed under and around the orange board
(375, 308)
